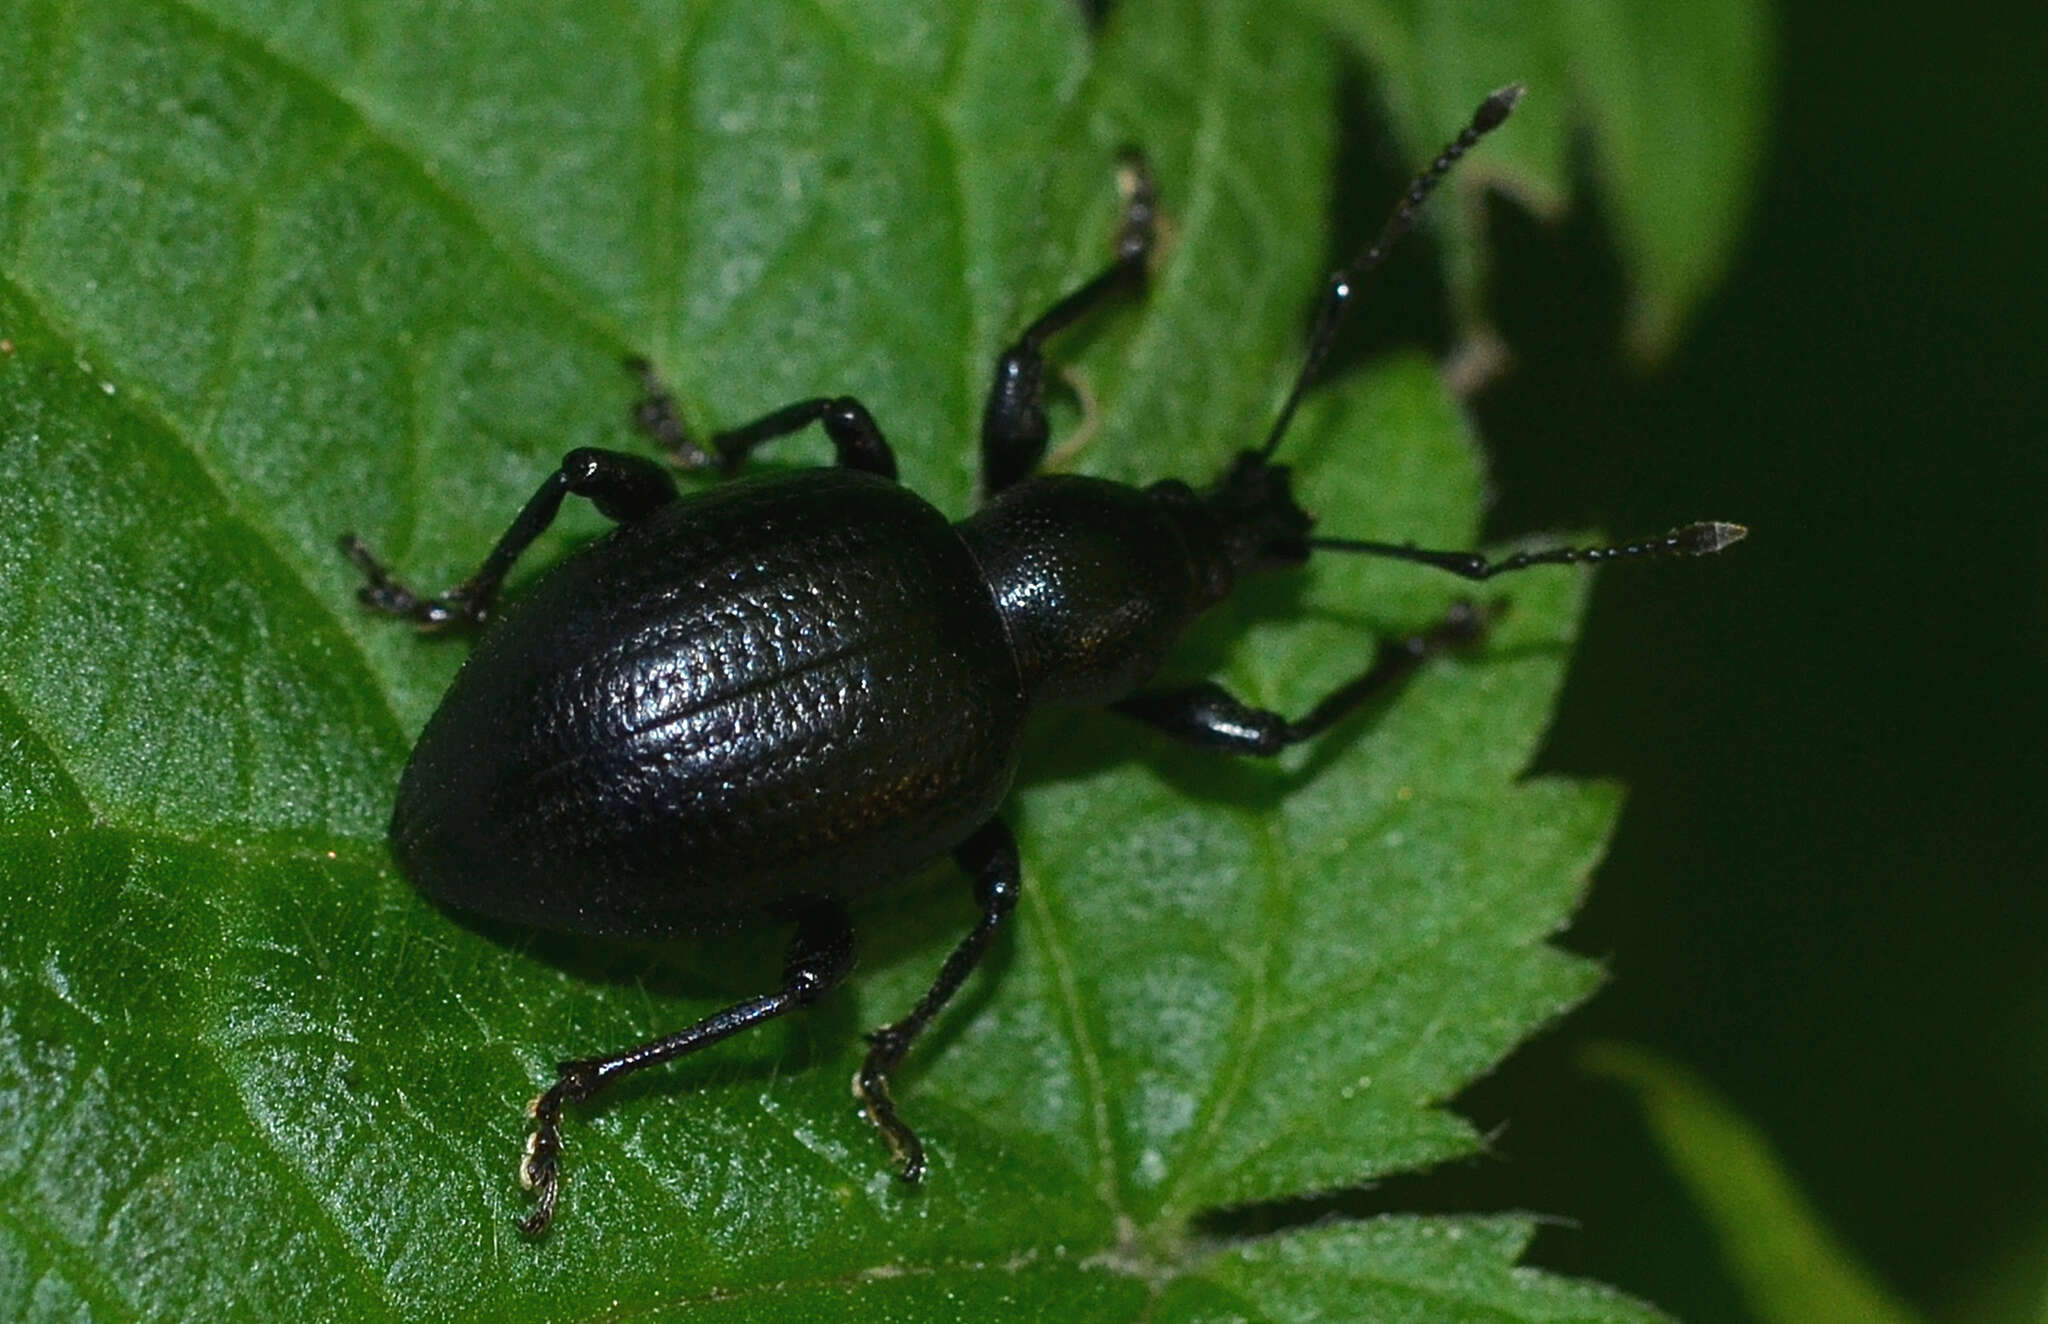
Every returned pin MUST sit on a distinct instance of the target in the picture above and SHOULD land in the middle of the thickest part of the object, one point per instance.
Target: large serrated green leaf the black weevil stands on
(271, 272)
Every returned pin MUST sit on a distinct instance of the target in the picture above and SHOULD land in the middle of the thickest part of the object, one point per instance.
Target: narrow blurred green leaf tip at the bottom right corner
(1781, 1253)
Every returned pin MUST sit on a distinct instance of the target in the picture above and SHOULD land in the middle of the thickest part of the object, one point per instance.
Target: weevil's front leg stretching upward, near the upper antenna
(1013, 421)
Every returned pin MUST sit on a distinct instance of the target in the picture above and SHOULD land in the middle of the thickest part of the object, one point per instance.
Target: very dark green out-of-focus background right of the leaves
(1828, 893)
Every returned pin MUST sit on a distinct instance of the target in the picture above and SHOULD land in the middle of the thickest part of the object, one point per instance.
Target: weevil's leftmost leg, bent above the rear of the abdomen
(624, 487)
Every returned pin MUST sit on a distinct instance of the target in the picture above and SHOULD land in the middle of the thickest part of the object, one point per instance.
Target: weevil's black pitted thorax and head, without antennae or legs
(1097, 581)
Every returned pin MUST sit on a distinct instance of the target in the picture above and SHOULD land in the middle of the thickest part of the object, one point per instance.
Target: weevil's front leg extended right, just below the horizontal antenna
(1209, 716)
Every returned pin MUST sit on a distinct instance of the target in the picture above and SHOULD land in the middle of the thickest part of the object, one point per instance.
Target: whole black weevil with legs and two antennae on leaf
(785, 692)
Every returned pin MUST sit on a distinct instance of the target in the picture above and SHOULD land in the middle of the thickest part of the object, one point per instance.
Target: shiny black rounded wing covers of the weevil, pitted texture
(777, 688)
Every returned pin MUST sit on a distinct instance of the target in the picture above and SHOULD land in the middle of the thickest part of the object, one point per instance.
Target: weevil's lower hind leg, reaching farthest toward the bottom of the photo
(820, 958)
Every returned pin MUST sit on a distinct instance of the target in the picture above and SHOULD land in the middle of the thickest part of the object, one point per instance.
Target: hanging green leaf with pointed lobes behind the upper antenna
(1672, 99)
